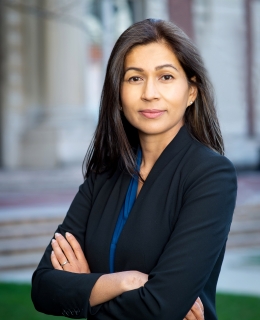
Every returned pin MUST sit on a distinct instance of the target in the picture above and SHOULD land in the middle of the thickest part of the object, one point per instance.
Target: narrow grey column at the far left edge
(12, 88)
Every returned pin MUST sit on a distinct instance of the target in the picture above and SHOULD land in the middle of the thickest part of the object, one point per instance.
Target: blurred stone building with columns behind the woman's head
(53, 55)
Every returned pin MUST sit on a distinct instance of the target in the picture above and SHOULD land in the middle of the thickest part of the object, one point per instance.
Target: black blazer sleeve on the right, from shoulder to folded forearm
(189, 256)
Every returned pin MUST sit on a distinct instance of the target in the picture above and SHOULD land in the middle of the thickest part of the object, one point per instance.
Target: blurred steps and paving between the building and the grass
(38, 200)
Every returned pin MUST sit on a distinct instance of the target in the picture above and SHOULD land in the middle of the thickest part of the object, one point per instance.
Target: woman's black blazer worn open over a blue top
(176, 232)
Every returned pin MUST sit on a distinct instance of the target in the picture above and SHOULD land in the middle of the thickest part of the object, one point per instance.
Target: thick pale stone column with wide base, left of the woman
(63, 131)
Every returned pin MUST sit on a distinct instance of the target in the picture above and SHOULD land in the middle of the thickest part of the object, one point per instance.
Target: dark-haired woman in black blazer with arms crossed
(145, 235)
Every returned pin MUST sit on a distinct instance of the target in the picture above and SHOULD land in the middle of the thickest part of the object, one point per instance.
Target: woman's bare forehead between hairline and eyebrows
(155, 53)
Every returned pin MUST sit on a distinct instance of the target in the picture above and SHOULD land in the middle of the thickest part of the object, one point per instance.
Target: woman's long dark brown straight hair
(115, 139)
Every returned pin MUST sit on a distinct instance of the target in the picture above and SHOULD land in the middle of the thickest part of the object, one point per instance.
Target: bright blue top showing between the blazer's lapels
(124, 212)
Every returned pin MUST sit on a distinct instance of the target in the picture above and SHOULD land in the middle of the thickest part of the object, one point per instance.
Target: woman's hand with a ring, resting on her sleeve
(68, 249)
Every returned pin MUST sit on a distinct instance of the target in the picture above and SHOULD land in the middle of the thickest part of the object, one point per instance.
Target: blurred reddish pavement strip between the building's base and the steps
(57, 186)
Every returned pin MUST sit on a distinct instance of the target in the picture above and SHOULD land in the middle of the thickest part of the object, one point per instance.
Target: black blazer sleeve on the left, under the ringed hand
(64, 293)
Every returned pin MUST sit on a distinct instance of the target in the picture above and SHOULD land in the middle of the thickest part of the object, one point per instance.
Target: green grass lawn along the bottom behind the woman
(15, 303)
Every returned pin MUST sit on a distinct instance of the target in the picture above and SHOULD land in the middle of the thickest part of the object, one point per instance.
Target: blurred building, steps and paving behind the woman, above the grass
(53, 55)
